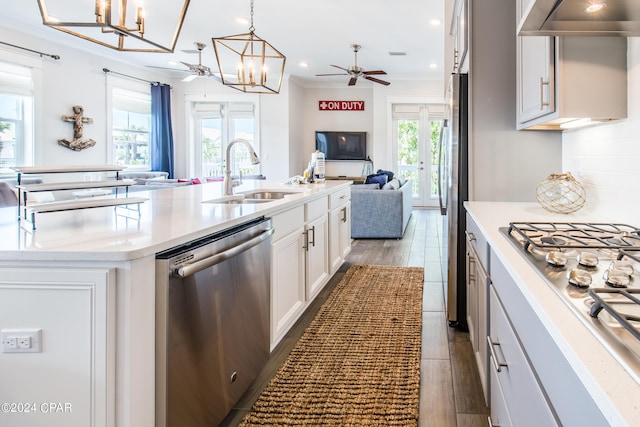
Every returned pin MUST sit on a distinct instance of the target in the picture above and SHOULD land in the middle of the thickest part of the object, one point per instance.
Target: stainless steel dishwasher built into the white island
(212, 323)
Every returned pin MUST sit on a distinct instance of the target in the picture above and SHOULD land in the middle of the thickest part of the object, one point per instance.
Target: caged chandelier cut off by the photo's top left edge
(128, 26)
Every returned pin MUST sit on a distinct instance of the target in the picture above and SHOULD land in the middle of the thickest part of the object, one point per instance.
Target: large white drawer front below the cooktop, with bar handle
(526, 402)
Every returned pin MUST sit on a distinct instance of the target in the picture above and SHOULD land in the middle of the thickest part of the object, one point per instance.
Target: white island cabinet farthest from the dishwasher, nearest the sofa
(339, 228)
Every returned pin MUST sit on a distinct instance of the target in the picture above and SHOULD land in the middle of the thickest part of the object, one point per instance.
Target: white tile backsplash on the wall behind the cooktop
(606, 158)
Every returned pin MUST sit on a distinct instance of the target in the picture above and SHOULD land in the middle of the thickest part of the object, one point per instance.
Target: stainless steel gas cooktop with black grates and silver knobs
(595, 269)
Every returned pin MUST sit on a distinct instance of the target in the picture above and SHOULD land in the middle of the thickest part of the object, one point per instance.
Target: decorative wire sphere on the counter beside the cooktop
(561, 193)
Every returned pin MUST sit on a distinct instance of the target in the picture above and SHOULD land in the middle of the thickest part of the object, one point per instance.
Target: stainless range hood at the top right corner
(571, 18)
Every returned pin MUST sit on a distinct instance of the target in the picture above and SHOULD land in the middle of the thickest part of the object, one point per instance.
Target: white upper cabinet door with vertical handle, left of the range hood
(536, 77)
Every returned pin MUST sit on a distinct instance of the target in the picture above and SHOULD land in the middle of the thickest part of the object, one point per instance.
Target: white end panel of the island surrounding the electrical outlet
(75, 368)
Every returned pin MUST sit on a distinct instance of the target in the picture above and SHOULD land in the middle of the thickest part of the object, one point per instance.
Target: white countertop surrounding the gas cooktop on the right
(615, 390)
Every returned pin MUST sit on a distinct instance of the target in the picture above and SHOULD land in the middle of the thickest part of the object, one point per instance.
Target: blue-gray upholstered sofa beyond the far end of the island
(380, 213)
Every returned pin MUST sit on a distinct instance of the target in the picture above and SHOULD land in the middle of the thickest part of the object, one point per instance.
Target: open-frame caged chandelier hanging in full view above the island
(248, 63)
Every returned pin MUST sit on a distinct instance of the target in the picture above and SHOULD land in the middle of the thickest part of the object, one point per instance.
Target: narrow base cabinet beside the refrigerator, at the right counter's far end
(477, 294)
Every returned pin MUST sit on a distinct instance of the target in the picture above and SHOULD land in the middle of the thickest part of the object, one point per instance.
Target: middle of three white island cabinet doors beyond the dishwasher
(317, 249)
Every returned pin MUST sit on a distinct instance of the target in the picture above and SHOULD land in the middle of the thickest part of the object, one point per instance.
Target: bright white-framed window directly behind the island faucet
(217, 124)
